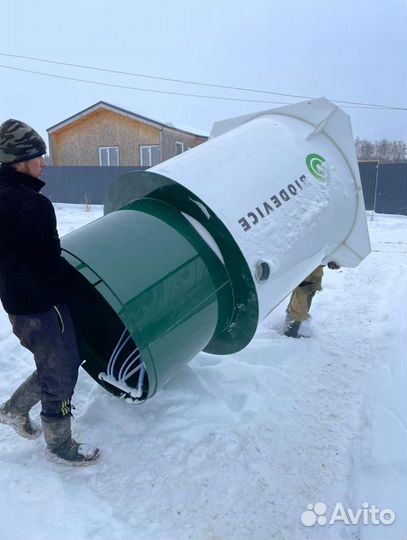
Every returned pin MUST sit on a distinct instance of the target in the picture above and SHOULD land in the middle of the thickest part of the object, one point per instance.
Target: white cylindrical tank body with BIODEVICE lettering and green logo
(285, 183)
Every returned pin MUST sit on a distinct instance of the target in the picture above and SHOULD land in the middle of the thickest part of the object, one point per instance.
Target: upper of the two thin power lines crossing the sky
(181, 81)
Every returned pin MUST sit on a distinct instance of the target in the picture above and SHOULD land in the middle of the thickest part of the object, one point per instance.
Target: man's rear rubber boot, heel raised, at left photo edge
(15, 411)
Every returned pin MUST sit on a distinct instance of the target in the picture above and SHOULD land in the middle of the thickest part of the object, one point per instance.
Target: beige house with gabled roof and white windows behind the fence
(107, 135)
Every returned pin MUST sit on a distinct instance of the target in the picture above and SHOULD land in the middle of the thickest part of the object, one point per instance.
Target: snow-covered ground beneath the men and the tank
(237, 447)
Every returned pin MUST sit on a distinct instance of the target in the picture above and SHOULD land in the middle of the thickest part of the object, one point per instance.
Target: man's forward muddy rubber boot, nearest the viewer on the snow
(62, 448)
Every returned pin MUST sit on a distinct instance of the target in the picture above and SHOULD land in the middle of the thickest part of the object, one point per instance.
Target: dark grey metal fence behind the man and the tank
(384, 184)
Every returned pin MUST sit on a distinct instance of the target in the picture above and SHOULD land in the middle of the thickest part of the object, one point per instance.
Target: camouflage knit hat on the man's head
(19, 142)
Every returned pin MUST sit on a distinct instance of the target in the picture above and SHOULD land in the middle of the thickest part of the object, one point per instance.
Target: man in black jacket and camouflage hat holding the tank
(34, 283)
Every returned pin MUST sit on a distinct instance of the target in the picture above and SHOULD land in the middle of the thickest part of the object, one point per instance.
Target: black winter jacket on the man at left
(33, 275)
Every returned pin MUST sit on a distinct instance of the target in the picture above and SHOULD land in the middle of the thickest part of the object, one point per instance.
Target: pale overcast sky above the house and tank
(351, 50)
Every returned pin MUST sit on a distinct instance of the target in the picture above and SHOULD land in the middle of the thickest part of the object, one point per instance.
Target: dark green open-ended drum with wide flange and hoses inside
(150, 294)
